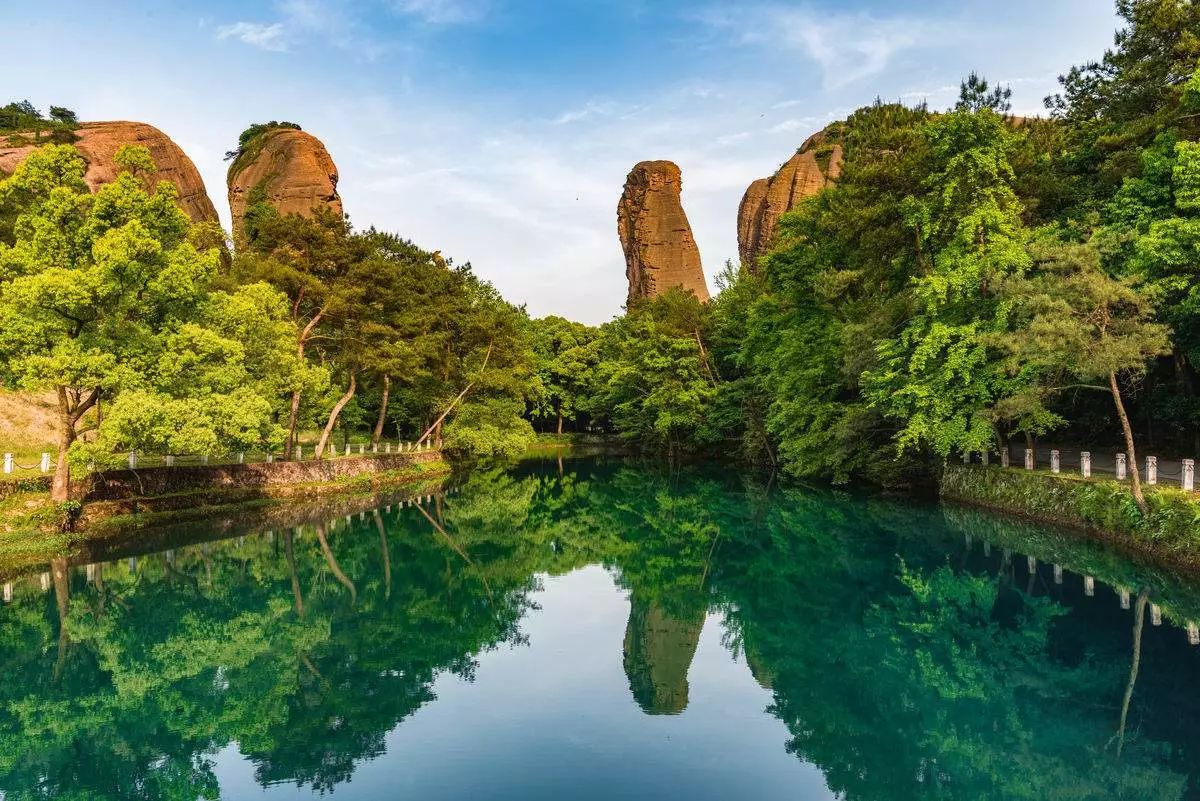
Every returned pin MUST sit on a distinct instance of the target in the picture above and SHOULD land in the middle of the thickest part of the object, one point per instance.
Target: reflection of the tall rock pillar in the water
(659, 649)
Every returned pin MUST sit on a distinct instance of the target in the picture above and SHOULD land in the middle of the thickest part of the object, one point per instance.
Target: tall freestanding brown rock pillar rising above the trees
(661, 250)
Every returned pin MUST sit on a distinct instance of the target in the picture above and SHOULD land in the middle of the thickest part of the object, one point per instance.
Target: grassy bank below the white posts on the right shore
(1105, 509)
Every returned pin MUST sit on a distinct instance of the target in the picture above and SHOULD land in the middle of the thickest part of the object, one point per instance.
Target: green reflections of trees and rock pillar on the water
(897, 676)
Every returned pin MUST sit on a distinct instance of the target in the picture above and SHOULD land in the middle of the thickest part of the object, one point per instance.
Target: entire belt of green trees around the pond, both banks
(970, 279)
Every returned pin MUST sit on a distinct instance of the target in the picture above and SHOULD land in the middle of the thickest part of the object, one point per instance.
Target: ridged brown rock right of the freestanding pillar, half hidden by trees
(814, 166)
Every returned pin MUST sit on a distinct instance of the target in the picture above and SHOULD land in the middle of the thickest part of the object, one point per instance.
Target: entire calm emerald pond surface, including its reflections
(601, 631)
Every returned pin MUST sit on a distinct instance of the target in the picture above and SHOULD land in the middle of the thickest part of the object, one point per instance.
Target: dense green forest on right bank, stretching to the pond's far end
(971, 278)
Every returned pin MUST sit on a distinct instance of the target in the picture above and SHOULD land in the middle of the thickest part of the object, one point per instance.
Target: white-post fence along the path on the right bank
(1153, 469)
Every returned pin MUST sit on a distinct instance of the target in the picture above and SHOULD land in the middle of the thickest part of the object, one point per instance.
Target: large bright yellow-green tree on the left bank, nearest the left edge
(104, 294)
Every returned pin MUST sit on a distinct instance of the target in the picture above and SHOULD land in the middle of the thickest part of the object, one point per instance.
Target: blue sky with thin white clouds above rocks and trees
(501, 131)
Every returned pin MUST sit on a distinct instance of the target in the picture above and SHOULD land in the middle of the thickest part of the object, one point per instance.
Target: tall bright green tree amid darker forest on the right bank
(938, 378)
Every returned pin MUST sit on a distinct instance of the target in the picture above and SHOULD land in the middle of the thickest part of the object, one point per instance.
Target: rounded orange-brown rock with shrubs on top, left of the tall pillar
(291, 170)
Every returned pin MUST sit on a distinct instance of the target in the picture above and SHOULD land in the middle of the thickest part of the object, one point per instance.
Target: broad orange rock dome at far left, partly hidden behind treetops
(98, 143)
